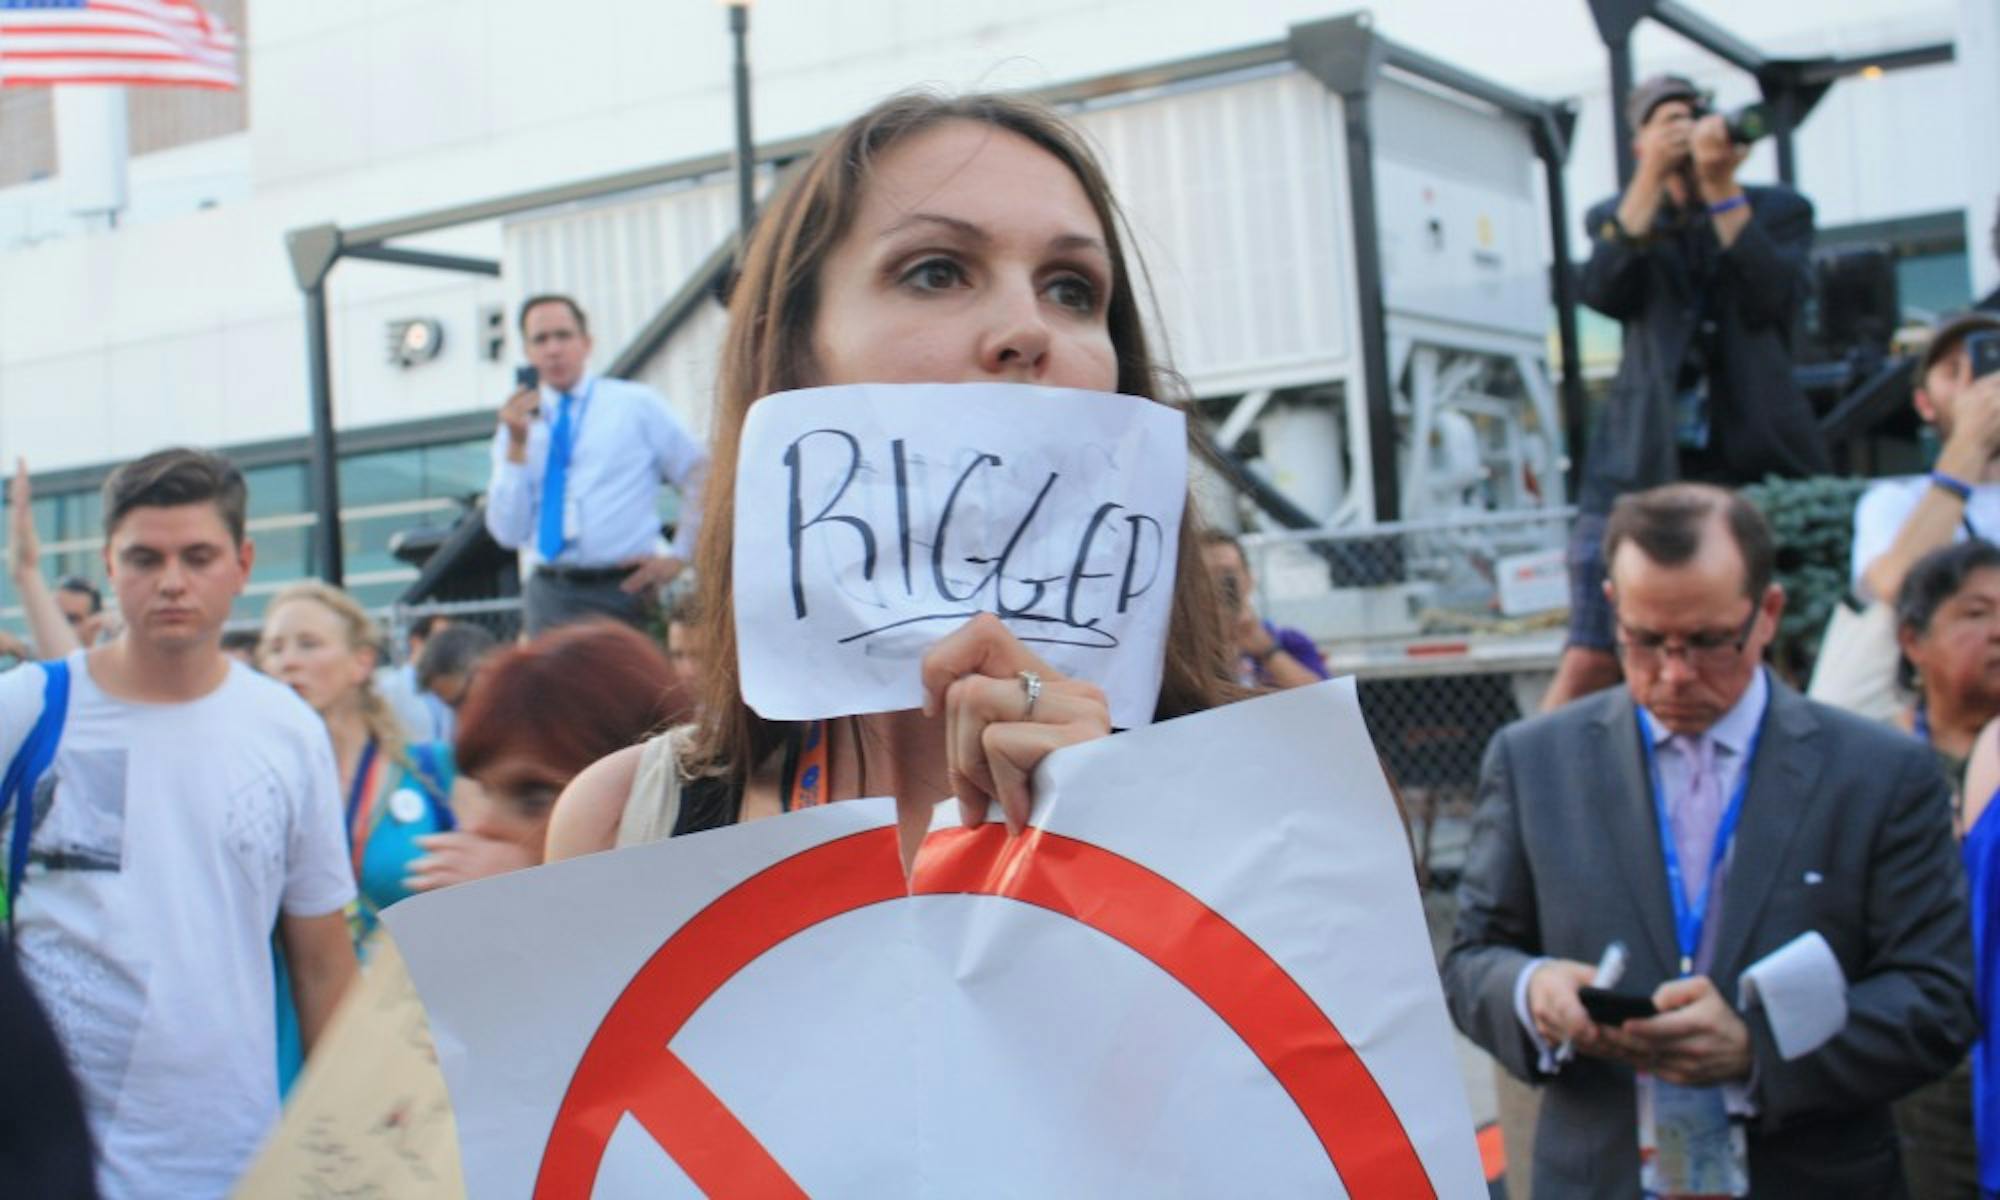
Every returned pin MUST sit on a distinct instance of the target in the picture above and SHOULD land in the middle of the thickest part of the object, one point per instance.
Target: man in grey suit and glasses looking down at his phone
(1781, 817)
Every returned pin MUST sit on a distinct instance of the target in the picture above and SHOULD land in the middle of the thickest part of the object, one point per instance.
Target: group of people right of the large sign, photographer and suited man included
(1685, 865)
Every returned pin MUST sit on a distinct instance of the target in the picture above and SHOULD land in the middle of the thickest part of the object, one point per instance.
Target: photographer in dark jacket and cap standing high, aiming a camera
(1707, 277)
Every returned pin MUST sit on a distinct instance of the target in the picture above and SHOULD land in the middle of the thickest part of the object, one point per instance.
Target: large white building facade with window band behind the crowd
(183, 325)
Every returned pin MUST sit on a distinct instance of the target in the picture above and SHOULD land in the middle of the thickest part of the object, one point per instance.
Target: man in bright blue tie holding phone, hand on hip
(579, 463)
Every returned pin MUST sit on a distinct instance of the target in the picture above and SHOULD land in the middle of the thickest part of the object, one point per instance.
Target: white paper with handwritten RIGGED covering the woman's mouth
(877, 519)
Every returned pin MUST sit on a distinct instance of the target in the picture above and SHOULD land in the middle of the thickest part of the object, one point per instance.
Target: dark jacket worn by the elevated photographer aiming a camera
(1761, 419)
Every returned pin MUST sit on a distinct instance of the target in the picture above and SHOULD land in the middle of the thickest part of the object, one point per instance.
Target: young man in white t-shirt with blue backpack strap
(191, 809)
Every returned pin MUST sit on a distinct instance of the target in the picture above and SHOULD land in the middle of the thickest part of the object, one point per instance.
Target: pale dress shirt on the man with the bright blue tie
(625, 445)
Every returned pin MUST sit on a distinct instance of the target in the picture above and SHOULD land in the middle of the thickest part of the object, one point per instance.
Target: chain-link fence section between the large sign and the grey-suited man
(1451, 629)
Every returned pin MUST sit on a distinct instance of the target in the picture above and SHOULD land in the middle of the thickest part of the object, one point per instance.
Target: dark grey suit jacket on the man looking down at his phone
(1847, 829)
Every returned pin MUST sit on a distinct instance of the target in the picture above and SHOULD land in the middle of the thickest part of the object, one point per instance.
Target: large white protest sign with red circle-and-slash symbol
(1199, 975)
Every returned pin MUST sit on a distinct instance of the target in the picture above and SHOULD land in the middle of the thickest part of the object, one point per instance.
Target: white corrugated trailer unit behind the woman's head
(1349, 251)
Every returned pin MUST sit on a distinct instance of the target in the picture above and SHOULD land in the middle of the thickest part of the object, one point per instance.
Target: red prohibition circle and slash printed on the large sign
(629, 1065)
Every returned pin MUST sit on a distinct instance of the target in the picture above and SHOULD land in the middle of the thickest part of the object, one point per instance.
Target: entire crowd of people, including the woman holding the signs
(1677, 871)
